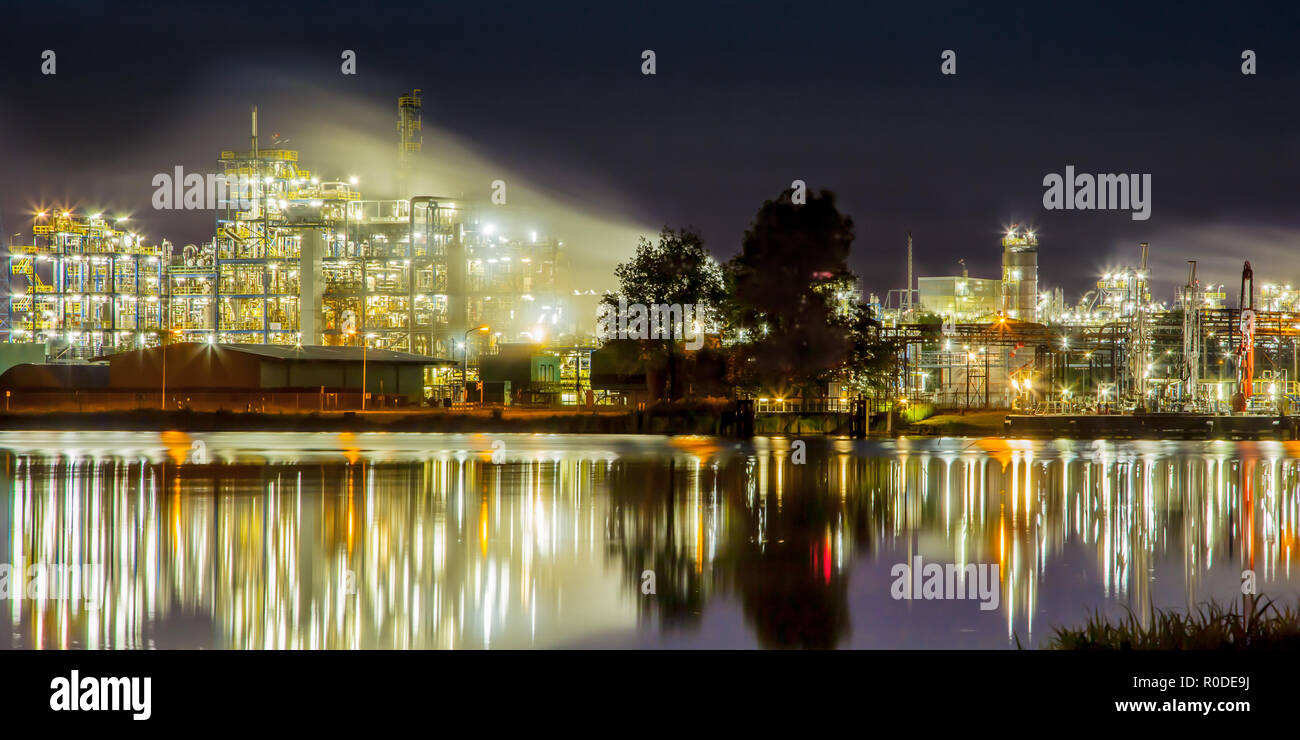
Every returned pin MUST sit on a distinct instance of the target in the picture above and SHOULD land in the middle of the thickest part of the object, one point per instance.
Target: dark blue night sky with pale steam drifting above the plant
(748, 97)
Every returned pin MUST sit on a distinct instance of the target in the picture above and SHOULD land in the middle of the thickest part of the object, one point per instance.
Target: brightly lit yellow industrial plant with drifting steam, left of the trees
(296, 259)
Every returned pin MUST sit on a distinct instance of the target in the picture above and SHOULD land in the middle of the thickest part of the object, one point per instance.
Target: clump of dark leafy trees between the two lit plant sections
(790, 304)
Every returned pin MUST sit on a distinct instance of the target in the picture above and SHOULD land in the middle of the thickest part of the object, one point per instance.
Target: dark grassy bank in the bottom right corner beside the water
(1258, 625)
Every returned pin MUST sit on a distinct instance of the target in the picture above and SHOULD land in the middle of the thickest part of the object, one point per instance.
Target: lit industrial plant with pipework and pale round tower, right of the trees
(969, 343)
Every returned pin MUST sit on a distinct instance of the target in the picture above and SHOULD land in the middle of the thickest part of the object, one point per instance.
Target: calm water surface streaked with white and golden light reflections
(322, 540)
